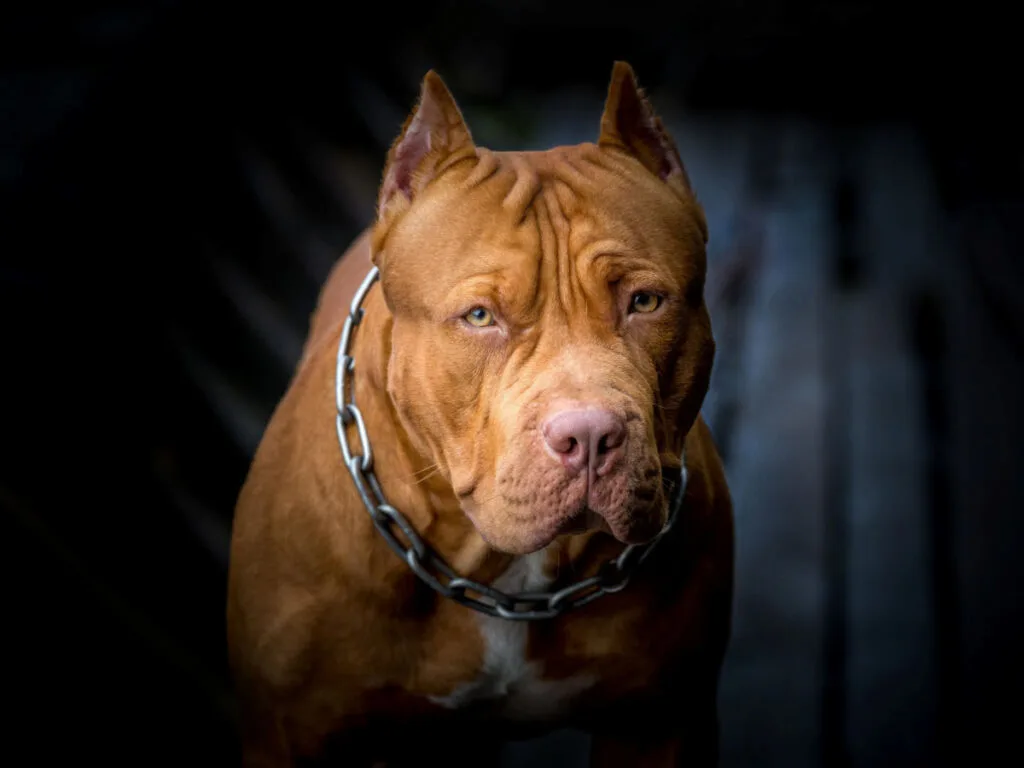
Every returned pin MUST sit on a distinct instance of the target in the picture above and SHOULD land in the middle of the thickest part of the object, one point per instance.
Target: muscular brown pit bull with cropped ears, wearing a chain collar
(511, 404)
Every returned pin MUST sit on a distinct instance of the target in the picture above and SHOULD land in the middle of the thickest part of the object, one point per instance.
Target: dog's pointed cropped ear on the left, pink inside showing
(433, 135)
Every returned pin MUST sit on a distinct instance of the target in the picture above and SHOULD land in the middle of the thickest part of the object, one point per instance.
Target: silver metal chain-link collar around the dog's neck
(430, 567)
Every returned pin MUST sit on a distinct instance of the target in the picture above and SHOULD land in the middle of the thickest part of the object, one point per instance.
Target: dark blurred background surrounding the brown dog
(177, 178)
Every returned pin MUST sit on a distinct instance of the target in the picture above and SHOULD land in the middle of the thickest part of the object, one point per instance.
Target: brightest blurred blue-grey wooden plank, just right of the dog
(771, 697)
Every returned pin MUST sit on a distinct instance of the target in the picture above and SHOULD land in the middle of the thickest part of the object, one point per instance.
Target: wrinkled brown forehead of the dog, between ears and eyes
(516, 211)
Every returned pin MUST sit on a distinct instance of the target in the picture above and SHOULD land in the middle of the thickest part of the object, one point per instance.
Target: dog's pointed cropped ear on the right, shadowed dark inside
(629, 123)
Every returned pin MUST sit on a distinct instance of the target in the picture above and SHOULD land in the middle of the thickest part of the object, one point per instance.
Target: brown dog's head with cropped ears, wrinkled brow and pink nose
(550, 344)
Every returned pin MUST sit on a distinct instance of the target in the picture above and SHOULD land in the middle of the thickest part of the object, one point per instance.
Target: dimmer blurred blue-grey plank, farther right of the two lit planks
(890, 664)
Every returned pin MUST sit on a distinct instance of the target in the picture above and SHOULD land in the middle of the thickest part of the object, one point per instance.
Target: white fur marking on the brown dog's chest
(507, 674)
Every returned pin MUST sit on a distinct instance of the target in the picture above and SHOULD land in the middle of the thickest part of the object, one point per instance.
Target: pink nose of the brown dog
(586, 440)
